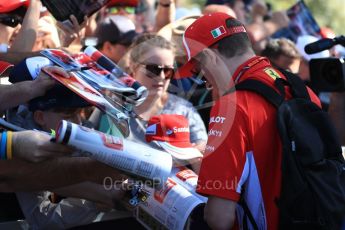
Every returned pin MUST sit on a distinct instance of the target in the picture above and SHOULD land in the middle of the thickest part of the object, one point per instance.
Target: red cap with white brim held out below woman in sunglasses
(171, 132)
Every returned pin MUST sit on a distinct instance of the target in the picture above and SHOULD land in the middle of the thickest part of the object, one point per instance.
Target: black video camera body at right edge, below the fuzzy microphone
(327, 74)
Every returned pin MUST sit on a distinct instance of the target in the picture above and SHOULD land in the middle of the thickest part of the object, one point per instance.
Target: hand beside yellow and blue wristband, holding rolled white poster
(36, 146)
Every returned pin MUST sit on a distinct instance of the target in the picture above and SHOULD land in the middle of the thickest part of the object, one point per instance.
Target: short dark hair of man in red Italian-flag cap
(235, 44)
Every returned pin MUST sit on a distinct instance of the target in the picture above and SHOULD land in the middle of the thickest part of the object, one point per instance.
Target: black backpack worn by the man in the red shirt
(313, 168)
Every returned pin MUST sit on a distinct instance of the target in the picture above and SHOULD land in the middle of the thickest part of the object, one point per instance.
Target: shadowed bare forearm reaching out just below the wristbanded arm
(17, 175)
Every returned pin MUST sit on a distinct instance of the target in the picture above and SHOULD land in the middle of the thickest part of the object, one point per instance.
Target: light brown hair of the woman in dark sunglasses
(145, 43)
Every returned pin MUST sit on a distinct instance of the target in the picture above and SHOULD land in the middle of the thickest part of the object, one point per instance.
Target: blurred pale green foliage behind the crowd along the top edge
(329, 13)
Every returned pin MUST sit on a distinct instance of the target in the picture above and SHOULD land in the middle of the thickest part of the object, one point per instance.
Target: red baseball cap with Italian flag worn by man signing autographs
(205, 32)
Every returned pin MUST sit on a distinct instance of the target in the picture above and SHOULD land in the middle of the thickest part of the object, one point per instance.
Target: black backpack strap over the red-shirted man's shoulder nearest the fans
(262, 89)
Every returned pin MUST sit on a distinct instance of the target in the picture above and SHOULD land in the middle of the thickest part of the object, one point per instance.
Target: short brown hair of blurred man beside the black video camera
(280, 46)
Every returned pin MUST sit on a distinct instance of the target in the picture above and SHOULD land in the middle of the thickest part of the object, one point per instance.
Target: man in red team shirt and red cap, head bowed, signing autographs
(244, 151)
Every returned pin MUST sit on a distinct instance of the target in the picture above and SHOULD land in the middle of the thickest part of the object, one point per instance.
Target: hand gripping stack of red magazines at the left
(44, 82)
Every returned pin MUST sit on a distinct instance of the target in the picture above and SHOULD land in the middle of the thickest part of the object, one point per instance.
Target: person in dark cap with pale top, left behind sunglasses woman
(114, 35)
